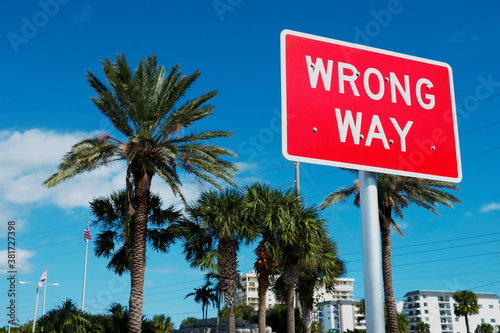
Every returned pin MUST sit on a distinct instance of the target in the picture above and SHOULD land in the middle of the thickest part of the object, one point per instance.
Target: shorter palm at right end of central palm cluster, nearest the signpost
(324, 272)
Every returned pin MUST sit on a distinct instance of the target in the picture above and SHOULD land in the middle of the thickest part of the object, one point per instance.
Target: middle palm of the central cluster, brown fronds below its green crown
(271, 209)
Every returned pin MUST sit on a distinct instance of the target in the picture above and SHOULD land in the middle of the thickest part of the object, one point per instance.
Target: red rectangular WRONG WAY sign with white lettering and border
(363, 108)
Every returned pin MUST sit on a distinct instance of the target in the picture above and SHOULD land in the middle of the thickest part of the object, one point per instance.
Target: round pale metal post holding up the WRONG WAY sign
(372, 261)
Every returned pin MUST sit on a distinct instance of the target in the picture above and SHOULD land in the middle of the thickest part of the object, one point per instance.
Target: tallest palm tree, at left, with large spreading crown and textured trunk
(148, 110)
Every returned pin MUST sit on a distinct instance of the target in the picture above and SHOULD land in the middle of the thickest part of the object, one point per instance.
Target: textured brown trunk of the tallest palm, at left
(142, 188)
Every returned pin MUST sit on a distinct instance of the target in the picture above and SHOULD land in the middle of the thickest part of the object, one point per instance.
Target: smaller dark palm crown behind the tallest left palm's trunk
(116, 224)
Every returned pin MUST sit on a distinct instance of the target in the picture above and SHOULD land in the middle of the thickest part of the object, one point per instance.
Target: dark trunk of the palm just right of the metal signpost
(390, 302)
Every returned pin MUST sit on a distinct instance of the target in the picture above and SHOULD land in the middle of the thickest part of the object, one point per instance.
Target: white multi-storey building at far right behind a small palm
(436, 308)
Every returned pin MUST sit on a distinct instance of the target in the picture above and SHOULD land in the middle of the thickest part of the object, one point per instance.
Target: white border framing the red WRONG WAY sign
(284, 146)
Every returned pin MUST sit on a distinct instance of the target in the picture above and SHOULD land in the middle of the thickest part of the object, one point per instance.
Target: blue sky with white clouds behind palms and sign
(47, 47)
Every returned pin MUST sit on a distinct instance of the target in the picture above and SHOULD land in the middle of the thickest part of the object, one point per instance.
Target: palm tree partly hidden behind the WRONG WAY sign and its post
(394, 194)
